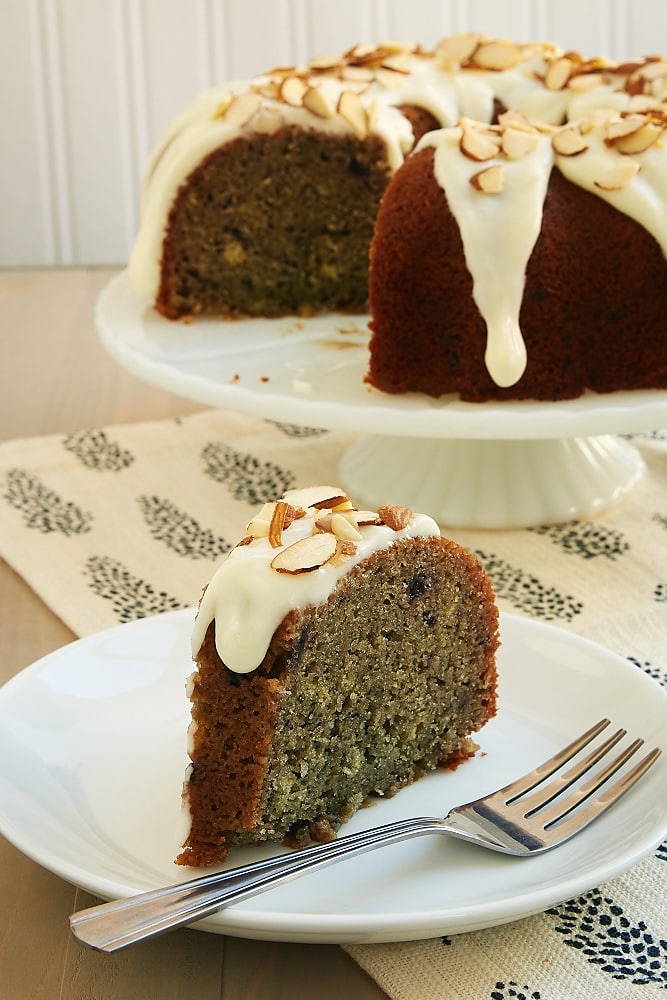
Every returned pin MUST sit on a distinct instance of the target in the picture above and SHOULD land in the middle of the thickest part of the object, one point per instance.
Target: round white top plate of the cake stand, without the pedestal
(311, 372)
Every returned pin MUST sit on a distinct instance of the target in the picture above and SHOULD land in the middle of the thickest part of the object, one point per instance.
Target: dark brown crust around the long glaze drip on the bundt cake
(593, 312)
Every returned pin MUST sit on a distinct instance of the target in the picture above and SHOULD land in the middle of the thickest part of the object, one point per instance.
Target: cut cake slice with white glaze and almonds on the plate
(340, 654)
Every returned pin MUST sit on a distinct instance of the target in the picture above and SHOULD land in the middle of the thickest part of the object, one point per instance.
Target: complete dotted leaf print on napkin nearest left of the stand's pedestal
(247, 477)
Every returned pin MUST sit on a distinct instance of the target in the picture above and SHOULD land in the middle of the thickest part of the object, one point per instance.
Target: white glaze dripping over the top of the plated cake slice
(247, 598)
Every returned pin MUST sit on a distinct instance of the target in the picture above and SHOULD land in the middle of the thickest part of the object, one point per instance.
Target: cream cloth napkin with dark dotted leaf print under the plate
(108, 525)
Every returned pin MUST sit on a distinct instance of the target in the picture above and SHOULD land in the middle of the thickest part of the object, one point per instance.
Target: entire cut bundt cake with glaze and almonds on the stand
(262, 197)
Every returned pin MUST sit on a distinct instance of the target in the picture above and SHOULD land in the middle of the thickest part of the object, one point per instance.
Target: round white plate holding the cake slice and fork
(92, 754)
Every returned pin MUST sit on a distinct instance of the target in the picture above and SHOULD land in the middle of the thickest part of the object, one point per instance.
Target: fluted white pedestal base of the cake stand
(494, 483)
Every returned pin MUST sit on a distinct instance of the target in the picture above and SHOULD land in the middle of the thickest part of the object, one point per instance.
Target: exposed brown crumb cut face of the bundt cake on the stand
(291, 238)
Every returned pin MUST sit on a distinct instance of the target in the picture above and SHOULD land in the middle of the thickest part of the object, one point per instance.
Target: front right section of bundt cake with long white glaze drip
(512, 262)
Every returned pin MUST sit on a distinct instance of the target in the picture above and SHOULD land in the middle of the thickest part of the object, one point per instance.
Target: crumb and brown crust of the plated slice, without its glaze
(356, 697)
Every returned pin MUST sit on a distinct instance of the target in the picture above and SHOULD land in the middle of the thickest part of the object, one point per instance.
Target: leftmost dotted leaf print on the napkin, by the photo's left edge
(42, 508)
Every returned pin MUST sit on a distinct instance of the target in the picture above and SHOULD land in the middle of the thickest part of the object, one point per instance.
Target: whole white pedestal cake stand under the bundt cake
(488, 465)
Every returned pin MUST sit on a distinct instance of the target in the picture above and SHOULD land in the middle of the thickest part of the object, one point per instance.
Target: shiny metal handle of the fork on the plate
(111, 926)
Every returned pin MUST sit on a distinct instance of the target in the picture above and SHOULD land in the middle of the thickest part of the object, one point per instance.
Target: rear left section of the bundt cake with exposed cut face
(260, 198)
